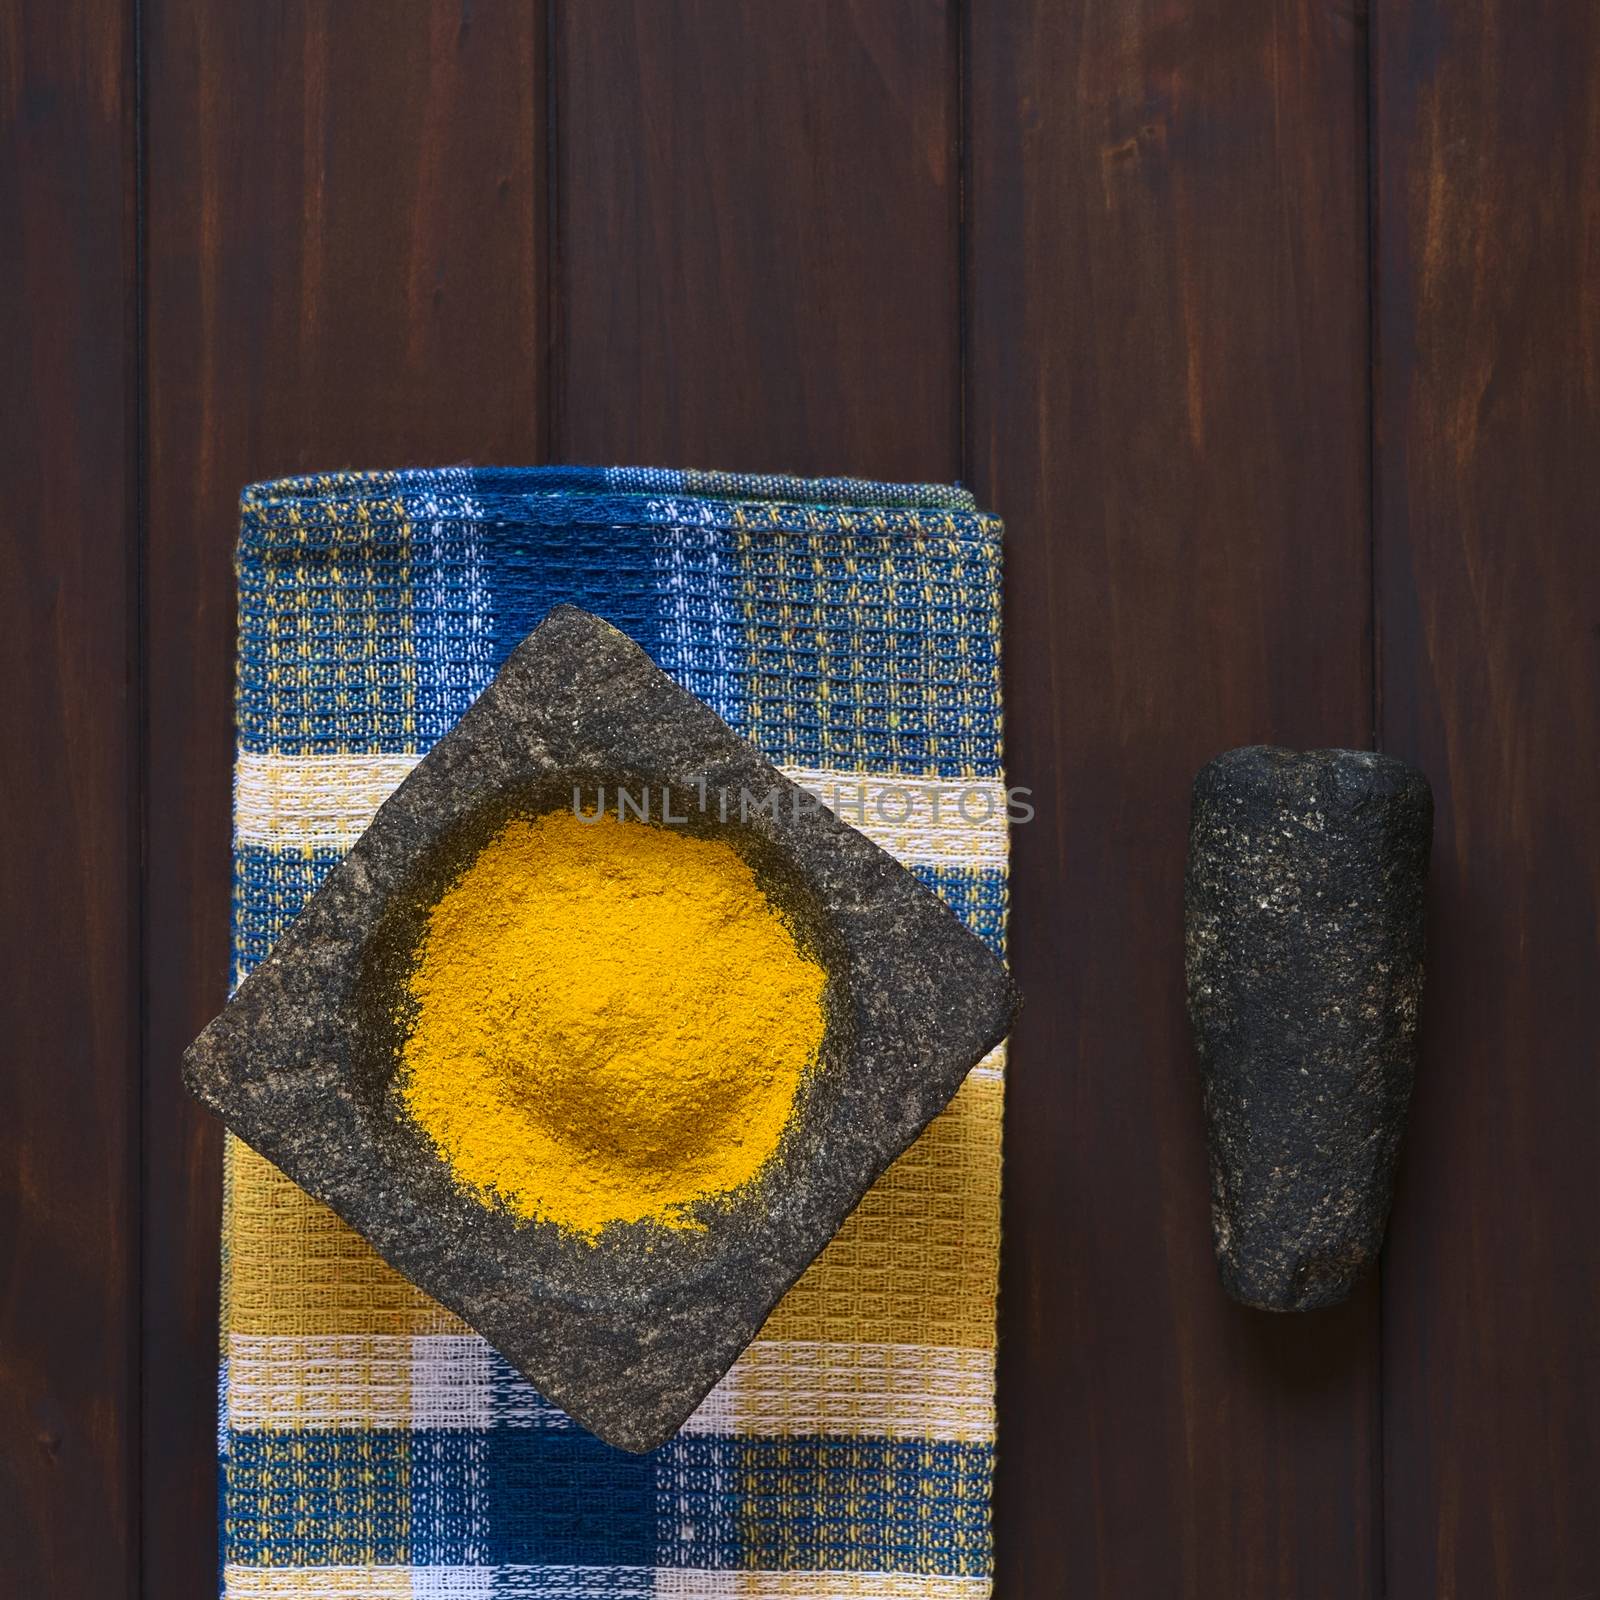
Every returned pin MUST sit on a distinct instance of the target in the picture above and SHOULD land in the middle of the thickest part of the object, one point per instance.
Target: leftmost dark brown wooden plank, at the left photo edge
(70, 726)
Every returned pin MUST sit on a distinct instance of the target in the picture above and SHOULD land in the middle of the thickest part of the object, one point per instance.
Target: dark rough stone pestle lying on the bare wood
(1305, 966)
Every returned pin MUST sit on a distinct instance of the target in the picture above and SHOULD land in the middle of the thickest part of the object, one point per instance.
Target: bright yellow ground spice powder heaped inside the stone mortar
(612, 1022)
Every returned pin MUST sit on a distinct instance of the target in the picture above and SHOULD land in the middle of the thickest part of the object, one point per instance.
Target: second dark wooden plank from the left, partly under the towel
(346, 242)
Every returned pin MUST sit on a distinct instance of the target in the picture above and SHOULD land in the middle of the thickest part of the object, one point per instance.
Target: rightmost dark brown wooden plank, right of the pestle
(1489, 210)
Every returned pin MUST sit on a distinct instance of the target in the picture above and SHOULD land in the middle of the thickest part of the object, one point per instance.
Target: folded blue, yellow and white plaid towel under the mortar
(370, 1444)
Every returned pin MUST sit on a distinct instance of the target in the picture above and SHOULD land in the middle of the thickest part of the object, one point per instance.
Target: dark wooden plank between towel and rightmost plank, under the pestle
(1169, 406)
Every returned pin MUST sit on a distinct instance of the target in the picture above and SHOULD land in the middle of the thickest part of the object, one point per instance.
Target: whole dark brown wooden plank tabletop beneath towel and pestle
(1273, 329)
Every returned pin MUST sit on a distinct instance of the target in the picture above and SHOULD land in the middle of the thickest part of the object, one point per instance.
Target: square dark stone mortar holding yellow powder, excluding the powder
(630, 1334)
